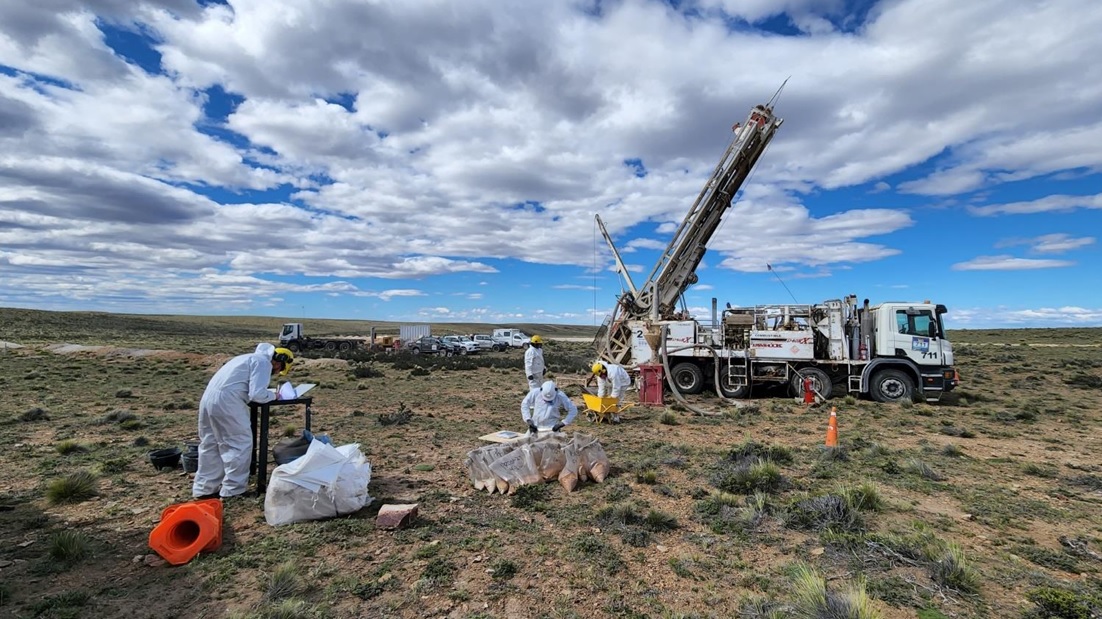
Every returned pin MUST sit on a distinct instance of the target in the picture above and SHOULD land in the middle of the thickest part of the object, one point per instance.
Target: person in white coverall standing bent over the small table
(225, 433)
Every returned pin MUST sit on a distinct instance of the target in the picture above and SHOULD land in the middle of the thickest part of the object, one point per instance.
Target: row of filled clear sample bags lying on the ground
(504, 468)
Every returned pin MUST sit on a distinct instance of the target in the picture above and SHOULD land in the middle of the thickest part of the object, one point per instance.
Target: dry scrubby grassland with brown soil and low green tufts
(984, 506)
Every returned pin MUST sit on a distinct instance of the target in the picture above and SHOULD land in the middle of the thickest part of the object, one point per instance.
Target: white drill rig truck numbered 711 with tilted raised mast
(890, 352)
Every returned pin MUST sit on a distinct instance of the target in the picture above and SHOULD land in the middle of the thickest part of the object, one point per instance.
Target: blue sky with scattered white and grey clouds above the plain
(444, 161)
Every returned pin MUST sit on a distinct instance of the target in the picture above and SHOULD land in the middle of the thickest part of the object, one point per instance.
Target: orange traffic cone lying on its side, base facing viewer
(188, 529)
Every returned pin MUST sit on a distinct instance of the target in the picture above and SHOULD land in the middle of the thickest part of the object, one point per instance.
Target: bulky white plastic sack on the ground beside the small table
(325, 483)
